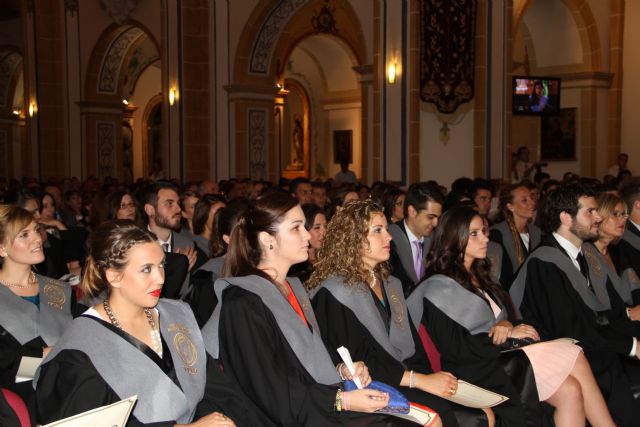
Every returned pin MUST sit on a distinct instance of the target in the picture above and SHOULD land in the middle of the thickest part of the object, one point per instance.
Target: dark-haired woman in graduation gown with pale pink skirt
(468, 316)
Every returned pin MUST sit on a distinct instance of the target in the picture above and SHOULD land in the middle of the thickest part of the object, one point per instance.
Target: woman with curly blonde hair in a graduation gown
(359, 306)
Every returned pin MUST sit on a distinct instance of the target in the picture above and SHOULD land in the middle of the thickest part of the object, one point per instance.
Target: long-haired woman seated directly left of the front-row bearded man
(515, 231)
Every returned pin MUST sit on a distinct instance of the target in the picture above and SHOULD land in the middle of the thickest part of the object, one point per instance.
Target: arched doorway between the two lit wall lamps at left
(124, 75)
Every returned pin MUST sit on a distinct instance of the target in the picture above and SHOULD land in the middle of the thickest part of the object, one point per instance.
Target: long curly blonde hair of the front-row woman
(341, 252)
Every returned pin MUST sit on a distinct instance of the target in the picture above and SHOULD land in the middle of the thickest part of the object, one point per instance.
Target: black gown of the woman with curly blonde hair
(340, 327)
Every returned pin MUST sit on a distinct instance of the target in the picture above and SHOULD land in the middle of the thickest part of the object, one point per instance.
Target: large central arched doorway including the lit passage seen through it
(298, 41)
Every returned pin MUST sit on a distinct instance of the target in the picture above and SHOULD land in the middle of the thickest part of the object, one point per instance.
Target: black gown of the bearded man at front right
(556, 309)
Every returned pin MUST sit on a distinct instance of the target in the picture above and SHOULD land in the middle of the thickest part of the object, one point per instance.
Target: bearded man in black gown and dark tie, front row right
(554, 291)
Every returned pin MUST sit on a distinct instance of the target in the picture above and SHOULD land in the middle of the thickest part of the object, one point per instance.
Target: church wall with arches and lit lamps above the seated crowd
(404, 90)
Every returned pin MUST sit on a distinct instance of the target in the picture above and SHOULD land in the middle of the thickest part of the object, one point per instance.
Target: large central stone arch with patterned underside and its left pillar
(269, 37)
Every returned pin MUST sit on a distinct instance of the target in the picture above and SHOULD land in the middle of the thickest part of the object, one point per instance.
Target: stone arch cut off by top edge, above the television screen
(585, 23)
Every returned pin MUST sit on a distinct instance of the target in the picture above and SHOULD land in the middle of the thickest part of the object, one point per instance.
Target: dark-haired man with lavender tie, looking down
(411, 236)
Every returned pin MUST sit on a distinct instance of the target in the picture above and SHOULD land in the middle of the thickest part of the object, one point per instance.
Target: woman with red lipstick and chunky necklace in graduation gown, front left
(135, 344)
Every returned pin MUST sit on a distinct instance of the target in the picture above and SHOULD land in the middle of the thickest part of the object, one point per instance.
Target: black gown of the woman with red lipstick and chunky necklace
(70, 384)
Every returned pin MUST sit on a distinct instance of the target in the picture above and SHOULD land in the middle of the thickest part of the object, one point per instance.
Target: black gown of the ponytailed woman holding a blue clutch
(255, 353)
